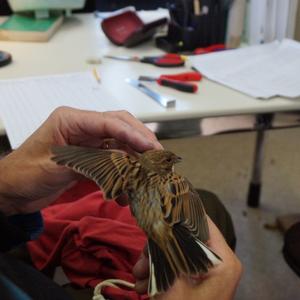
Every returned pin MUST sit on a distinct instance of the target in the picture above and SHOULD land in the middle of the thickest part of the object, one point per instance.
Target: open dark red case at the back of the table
(127, 29)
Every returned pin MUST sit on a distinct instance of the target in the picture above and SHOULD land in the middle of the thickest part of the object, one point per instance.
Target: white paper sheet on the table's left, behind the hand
(26, 103)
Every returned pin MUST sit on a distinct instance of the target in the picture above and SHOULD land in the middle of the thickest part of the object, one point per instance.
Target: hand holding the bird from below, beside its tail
(219, 283)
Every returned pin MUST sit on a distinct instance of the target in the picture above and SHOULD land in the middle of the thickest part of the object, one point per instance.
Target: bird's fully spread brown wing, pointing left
(108, 168)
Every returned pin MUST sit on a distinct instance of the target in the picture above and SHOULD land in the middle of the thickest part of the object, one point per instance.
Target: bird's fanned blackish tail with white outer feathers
(183, 254)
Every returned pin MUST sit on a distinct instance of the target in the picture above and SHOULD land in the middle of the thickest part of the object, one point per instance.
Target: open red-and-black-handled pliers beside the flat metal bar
(177, 81)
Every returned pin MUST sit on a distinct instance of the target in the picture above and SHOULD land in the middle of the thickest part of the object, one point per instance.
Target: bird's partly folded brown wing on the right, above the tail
(182, 204)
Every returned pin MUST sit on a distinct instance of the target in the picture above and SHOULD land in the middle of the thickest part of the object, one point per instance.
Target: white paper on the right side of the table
(262, 71)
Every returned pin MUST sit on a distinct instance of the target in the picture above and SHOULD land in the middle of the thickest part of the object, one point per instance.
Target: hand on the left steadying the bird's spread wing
(29, 180)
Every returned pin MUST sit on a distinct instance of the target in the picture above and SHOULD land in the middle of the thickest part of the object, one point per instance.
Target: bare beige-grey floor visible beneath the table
(222, 164)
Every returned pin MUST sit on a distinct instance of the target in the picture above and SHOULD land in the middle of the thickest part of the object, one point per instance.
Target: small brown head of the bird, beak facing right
(159, 161)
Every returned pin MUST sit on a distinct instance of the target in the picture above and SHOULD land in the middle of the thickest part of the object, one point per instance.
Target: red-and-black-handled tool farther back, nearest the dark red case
(168, 60)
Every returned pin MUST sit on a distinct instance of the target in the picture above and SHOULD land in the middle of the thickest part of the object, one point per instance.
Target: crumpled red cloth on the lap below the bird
(90, 238)
